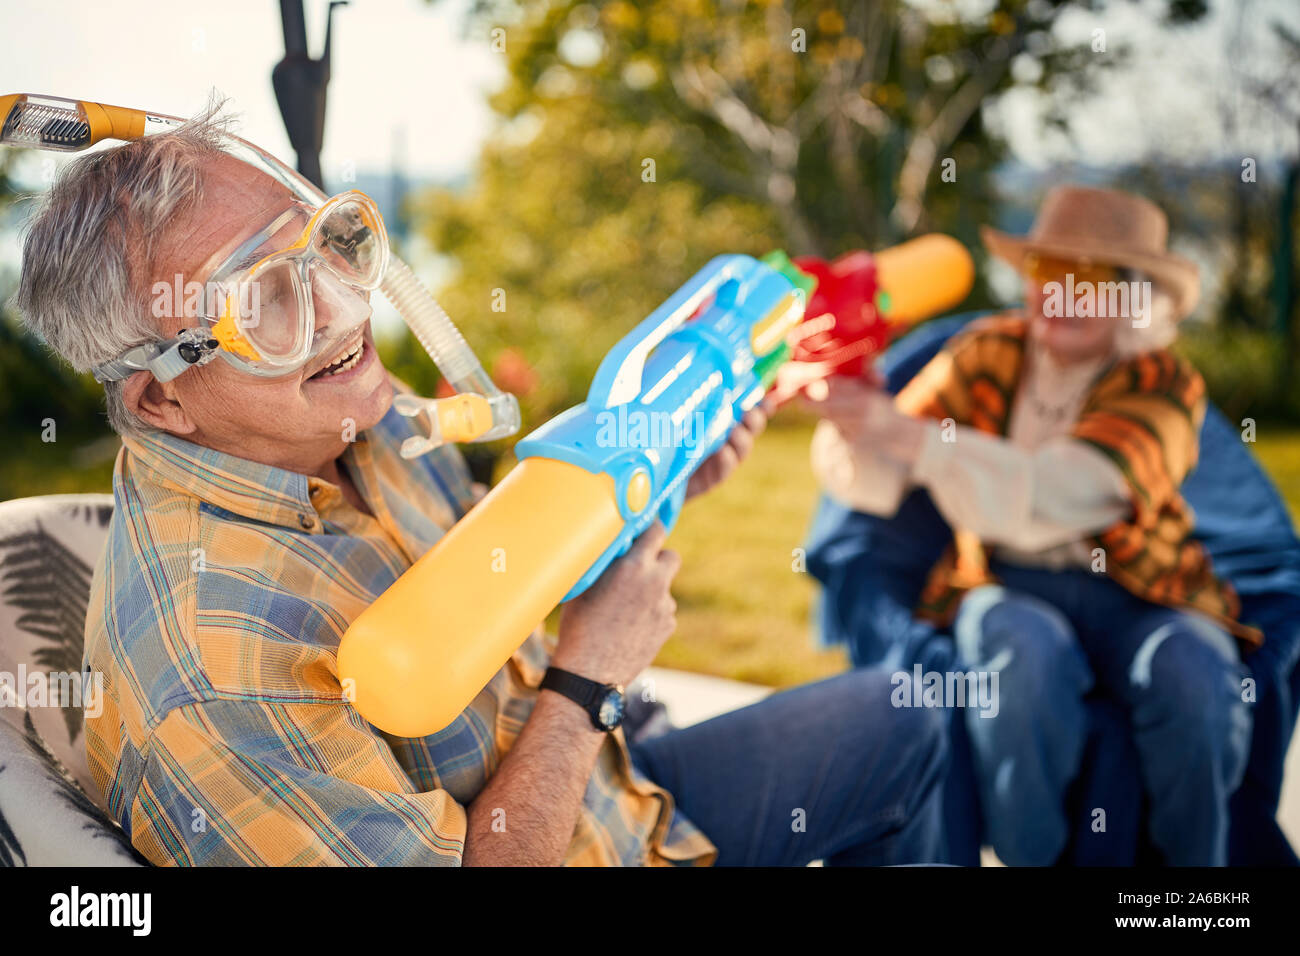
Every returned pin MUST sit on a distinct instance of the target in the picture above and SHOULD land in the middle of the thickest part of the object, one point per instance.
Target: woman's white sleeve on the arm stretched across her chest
(1025, 500)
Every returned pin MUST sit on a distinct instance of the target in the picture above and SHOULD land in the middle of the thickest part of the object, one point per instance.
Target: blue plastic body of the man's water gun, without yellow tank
(668, 396)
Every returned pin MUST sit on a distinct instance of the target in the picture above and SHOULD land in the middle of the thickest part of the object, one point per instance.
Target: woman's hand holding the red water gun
(865, 414)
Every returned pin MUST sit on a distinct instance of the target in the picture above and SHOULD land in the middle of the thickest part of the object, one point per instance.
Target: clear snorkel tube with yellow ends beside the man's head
(478, 413)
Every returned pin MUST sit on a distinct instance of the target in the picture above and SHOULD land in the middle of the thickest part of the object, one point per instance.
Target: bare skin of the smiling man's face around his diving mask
(297, 421)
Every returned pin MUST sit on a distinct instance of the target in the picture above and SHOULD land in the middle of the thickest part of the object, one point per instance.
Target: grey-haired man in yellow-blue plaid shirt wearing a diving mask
(259, 511)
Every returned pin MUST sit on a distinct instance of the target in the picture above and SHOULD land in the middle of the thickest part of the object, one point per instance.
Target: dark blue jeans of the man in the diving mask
(829, 771)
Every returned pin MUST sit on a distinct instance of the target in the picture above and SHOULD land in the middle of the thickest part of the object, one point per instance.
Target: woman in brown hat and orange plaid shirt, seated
(1054, 440)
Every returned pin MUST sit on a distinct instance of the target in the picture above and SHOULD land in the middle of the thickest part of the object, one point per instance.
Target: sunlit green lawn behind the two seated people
(744, 613)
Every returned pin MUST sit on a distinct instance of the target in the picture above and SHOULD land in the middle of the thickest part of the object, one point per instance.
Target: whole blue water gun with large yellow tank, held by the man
(588, 483)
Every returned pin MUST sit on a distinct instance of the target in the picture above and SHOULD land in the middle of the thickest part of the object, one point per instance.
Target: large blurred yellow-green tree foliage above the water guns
(811, 126)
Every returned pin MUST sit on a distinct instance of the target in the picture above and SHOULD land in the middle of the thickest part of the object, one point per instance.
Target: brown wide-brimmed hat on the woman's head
(1106, 227)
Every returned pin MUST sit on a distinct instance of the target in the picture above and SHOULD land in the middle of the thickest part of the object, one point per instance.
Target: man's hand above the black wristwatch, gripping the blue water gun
(613, 631)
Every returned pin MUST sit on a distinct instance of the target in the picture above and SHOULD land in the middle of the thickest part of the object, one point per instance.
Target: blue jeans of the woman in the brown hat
(1056, 637)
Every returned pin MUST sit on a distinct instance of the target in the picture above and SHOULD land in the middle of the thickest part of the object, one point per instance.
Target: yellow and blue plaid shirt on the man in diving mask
(215, 617)
